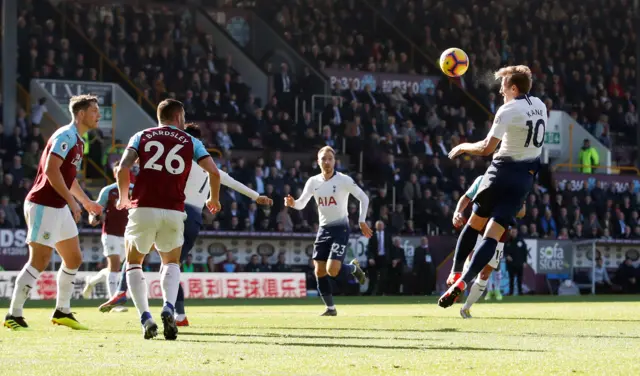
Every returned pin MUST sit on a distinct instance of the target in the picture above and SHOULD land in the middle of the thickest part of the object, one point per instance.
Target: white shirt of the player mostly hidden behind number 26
(197, 190)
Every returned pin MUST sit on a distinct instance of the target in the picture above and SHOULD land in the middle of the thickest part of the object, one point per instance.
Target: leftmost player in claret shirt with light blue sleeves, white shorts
(51, 212)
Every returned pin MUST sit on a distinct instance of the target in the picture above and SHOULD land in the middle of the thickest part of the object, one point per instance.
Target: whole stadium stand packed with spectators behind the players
(412, 185)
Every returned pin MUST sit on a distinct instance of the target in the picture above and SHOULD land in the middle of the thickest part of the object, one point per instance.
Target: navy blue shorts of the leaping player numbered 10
(503, 190)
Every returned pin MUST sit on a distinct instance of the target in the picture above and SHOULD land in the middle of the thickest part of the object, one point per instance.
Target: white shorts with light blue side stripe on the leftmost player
(47, 225)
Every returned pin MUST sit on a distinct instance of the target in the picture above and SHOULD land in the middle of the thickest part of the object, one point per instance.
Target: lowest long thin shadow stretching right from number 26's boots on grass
(355, 346)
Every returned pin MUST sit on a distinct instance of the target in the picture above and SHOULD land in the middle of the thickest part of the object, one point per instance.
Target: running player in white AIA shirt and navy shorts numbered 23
(331, 190)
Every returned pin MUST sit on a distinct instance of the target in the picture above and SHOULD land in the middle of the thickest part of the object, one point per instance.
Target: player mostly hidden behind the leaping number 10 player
(480, 284)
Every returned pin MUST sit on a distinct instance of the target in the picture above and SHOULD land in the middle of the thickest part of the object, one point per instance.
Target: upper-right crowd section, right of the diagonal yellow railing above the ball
(582, 54)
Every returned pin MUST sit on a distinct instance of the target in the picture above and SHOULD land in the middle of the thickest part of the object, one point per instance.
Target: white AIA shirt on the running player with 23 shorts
(332, 198)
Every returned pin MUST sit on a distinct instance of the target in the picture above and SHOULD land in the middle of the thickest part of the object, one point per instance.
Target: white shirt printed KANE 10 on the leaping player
(520, 124)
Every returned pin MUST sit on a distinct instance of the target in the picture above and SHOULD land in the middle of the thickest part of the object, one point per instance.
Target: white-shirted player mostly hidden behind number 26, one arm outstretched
(196, 193)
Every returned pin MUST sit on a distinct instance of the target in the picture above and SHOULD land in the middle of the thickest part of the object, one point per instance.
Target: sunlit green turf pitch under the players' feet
(372, 336)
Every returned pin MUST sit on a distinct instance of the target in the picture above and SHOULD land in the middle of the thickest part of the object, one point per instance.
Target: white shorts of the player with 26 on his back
(149, 226)
